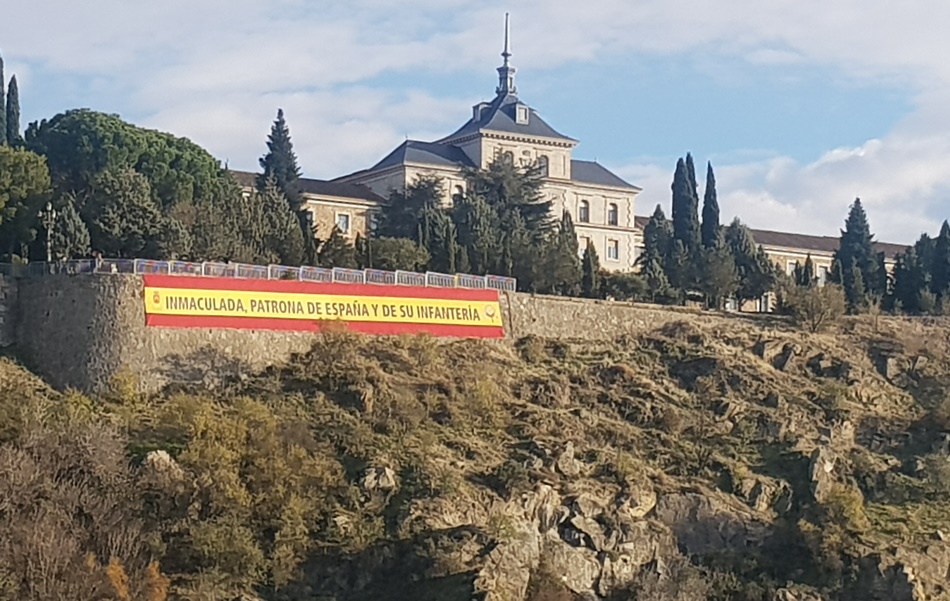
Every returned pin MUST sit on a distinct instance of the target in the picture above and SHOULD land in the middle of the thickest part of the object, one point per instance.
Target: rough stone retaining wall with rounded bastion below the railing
(78, 330)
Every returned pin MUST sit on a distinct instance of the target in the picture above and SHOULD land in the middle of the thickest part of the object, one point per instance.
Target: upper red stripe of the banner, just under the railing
(295, 286)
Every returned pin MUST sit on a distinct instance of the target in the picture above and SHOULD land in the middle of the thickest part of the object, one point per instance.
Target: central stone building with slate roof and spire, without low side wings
(601, 203)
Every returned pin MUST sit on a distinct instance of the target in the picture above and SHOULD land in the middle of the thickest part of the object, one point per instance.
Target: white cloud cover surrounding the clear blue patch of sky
(216, 70)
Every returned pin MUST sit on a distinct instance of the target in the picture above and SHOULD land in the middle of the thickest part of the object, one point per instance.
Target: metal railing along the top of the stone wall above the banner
(260, 272)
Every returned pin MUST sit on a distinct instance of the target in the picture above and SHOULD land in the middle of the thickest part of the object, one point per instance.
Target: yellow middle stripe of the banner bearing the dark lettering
(289, 305)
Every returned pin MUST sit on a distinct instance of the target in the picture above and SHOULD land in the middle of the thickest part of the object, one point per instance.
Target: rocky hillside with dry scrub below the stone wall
(742, 460)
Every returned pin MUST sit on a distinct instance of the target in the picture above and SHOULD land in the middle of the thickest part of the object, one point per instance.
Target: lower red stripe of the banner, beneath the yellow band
(379, 328)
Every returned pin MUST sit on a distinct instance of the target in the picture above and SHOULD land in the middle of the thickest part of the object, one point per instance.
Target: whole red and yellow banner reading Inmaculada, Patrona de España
(198, 302)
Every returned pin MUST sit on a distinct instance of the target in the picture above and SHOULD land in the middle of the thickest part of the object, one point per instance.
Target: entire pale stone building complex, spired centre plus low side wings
(601, 203)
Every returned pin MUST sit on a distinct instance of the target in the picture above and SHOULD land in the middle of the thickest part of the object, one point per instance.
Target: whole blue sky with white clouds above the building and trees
(801, 105)
